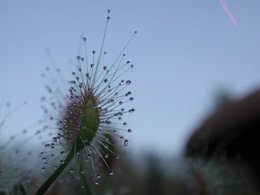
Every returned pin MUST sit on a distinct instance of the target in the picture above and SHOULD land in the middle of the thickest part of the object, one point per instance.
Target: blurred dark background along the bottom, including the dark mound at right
(221, 158)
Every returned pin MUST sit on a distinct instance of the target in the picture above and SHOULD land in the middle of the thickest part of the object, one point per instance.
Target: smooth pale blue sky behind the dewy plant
(184, 51)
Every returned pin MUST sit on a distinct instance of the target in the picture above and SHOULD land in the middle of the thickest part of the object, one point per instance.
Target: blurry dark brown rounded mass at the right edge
(231, 133)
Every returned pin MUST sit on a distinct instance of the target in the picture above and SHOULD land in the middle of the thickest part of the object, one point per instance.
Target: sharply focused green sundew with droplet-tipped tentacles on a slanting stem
(85, 120)
